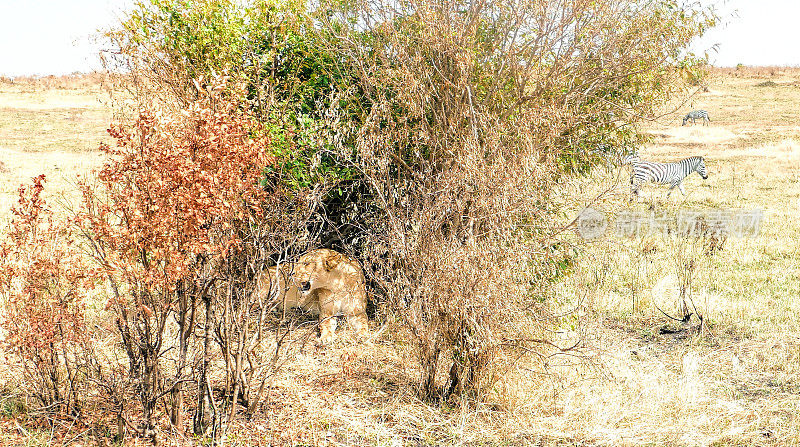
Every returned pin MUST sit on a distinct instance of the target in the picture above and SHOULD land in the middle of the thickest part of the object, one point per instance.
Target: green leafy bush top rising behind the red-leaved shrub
(173, 48)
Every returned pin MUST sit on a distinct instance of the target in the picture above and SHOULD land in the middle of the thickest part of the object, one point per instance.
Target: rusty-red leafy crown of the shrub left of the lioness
(169, 185)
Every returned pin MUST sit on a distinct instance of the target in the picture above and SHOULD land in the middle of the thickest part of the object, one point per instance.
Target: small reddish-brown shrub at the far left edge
(45, 283)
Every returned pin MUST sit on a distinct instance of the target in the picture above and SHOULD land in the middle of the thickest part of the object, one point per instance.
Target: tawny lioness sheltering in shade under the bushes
(324, 282)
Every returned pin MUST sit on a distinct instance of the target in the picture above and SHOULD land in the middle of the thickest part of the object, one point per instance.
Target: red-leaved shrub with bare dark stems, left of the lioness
(172, 213)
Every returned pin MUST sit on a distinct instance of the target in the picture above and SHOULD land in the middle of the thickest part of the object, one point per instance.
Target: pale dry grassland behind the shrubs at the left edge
(50, 126)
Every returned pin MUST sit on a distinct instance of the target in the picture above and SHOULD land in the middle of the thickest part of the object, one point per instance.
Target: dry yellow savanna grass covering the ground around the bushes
(641, 378)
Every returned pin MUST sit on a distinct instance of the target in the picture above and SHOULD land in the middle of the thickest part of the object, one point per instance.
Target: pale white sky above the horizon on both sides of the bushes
(40, 37)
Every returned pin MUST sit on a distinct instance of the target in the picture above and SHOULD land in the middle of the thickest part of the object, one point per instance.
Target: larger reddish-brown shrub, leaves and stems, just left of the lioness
(179, 224)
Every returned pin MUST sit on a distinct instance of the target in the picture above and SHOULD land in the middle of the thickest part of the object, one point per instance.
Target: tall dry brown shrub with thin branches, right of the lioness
(473, 120)
